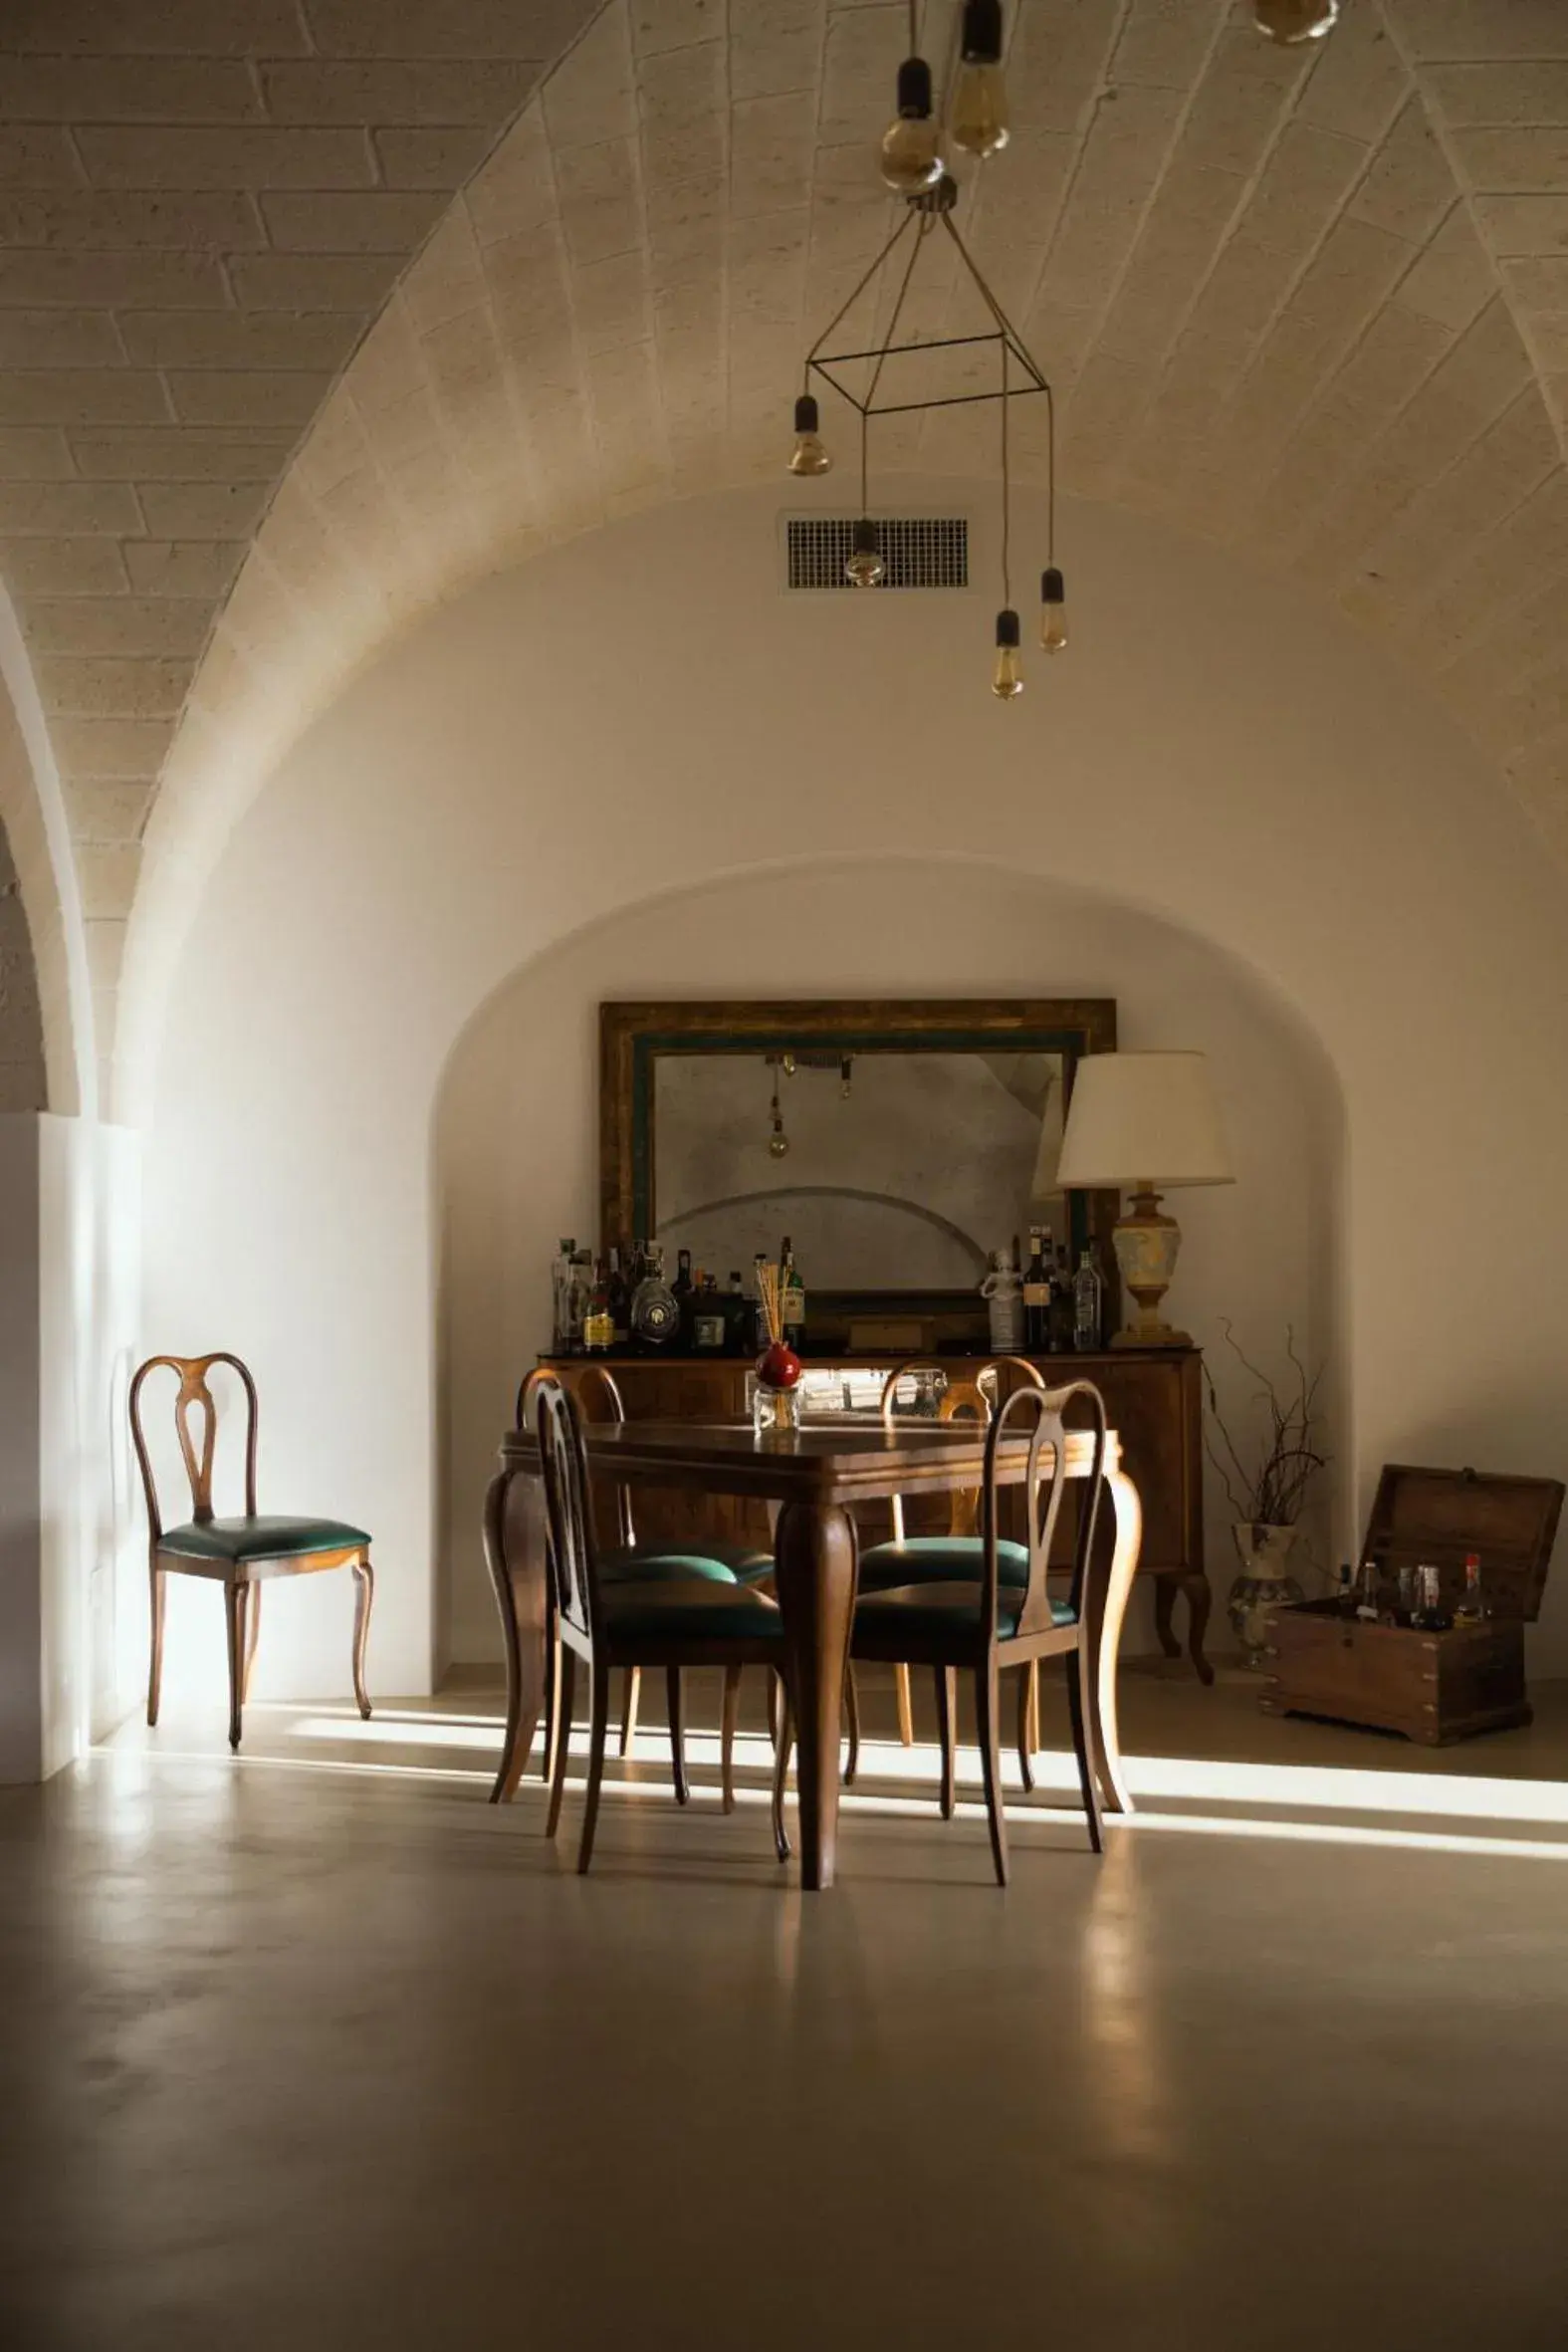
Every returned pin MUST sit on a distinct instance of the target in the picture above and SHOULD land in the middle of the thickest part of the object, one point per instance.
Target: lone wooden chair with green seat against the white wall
(236, 1553)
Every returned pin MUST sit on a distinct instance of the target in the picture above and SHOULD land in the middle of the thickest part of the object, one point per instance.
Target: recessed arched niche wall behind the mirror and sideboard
(511, 1182)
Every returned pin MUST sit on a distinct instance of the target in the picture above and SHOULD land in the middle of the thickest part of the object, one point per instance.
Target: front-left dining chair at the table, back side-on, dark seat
(648, 1622)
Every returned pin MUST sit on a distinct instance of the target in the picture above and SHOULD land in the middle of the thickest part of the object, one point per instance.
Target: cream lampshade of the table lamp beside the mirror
(1144, 1118)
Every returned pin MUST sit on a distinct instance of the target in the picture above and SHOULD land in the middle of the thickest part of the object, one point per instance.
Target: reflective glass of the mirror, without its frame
(899, 1170)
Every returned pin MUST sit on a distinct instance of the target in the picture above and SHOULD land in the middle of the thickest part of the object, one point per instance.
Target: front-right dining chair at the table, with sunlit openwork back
(996, 1624)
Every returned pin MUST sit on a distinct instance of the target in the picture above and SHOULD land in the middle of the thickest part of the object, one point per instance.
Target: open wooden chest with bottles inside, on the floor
(1447, 1685)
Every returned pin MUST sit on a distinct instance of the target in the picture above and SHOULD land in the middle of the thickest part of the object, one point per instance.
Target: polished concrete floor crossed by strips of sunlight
(323, 2050)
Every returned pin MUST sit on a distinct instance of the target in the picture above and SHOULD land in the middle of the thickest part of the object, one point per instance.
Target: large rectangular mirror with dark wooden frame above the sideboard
(894, 1142)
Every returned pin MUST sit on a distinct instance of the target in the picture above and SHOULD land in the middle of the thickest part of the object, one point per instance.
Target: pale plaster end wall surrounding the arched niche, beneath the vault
(643, 711)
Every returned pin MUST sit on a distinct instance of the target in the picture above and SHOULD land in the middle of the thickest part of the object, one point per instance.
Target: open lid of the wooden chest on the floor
(1442, 1516)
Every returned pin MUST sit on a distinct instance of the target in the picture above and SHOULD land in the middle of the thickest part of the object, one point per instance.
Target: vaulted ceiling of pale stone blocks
(1313, 305)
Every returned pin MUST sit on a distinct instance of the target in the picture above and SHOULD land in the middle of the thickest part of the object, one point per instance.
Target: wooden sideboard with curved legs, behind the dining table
(1153, 1398)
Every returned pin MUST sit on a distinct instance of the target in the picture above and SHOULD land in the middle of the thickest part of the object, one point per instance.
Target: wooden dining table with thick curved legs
(817, 1478)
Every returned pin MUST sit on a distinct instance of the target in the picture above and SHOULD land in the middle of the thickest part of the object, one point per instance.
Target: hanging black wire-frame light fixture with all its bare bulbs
(913, 166)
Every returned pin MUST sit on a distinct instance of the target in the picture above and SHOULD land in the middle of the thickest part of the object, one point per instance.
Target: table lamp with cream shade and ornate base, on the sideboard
(1144, 1123)
